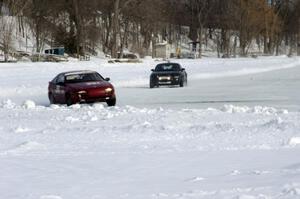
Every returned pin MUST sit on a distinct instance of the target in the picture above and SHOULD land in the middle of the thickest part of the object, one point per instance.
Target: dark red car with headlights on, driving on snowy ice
(81, 87)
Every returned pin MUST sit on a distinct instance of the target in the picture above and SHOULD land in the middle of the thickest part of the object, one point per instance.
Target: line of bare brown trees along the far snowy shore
(85, 26)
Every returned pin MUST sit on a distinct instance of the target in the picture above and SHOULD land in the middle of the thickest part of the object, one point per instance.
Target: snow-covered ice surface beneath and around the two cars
(234, 132)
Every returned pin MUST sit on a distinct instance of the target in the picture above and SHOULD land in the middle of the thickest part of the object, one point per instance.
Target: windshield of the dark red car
(84, 77)
